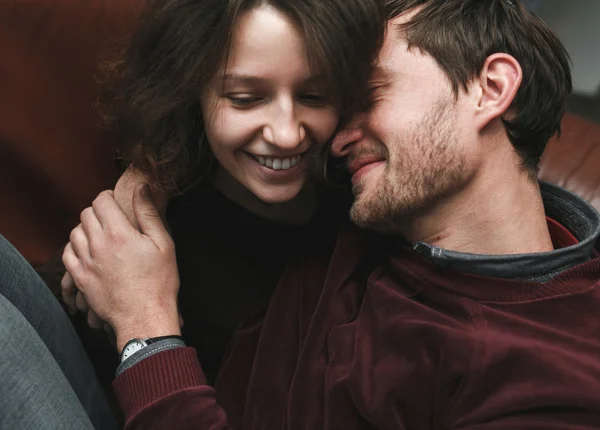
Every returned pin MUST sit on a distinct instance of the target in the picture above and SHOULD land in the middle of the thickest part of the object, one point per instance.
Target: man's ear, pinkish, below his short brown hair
(498, 83)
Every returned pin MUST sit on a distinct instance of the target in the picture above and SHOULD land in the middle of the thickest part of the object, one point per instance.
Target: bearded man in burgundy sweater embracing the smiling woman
(476, 307)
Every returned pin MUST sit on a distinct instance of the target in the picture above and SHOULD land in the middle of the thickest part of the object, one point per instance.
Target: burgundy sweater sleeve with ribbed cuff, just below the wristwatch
(168, 390)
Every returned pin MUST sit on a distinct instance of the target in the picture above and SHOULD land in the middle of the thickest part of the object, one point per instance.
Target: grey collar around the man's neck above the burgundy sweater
(571, 211)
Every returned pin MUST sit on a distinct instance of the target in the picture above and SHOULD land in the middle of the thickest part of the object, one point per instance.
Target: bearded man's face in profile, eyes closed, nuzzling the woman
(411, 149)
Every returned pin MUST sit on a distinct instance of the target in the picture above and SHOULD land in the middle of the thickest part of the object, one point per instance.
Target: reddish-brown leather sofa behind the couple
(53, 158)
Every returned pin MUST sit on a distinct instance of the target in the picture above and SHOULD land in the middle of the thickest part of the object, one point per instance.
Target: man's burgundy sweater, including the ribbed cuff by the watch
(379, 338)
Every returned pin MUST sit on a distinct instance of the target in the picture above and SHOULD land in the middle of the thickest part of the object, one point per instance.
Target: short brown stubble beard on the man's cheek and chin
(423, 167)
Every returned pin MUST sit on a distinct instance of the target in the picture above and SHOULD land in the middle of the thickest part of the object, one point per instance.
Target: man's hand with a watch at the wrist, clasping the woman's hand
(129, 278)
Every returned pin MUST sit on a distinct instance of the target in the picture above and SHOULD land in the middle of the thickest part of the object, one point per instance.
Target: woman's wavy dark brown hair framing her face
(151, 101)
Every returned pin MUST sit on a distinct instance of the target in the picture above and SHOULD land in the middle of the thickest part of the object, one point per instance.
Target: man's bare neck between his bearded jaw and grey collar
(499, 212)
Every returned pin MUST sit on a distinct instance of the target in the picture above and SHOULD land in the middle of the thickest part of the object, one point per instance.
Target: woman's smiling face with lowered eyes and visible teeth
(267, 110)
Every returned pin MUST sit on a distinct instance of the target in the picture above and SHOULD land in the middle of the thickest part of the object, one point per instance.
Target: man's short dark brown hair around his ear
(461, 34)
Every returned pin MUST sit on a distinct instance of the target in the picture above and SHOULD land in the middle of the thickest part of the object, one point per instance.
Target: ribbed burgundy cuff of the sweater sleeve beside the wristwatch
(156, 377)
